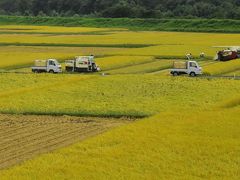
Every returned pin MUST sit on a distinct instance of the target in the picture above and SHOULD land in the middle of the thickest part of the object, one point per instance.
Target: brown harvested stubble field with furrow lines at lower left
(27, 136)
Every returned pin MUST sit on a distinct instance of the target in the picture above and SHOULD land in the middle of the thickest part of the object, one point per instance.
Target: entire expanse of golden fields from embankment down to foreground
(134, 122)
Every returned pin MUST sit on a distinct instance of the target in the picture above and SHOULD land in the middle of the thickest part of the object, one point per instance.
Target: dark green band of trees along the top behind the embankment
(124, 8)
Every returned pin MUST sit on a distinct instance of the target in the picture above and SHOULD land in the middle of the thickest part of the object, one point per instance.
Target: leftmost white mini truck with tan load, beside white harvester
(49, 66)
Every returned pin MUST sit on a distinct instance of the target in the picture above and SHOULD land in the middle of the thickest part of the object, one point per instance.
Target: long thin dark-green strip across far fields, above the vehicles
(78, 45)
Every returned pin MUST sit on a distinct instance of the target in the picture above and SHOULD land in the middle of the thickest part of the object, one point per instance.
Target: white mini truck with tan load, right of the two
(191, 68)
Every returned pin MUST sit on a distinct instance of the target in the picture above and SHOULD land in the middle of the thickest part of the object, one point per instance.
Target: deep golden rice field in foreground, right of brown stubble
(183, 145)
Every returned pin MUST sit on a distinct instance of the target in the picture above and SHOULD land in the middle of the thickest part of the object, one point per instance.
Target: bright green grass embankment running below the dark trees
(192, 25)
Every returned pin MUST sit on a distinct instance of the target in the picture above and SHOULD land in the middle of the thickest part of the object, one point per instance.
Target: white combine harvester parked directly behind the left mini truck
(82, 64)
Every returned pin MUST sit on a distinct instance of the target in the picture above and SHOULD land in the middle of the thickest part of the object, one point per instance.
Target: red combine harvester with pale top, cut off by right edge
(233, 52)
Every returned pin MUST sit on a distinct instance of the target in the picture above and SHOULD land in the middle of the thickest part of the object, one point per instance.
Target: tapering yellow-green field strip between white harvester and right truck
(143, 68)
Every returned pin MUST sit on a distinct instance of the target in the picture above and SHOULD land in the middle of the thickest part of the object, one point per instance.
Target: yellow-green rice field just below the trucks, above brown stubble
(67, 94)
